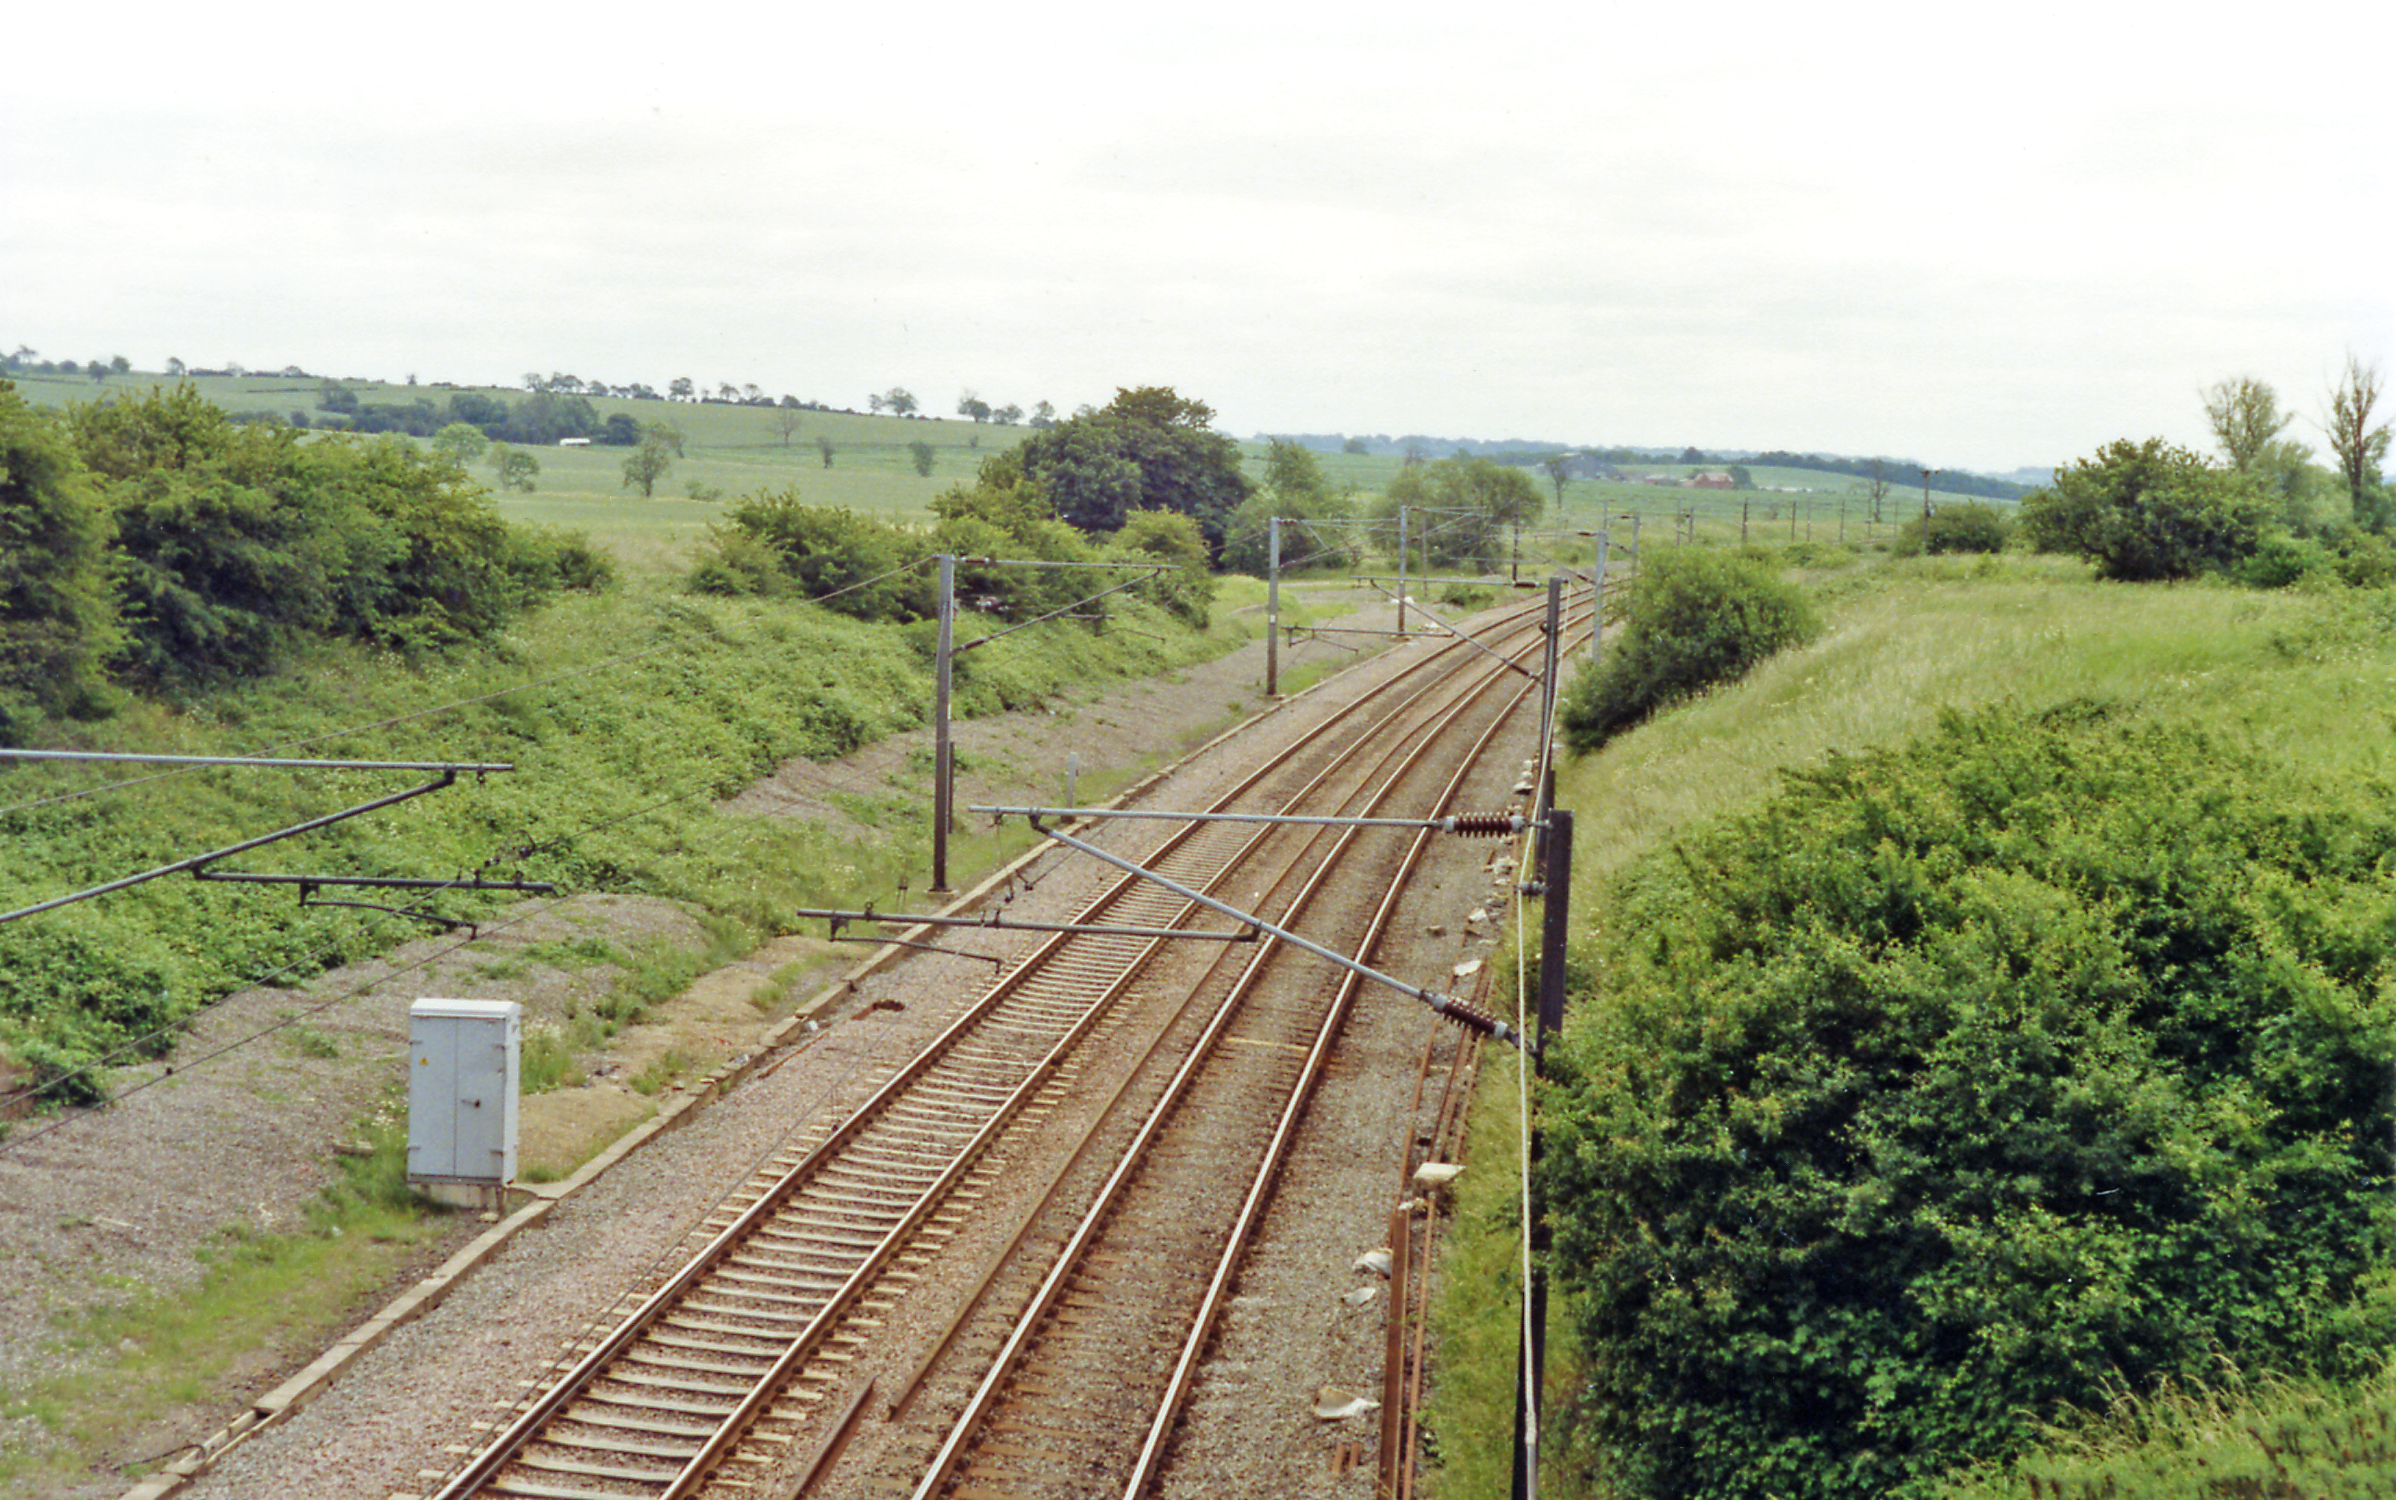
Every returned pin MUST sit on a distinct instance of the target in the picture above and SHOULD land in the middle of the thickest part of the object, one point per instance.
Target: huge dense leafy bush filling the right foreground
(1973, 1082)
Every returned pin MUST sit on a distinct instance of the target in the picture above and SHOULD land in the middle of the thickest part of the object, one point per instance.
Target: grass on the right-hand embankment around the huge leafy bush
(2299, 679)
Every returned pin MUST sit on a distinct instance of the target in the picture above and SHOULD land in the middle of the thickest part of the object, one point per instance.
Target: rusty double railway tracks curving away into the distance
(742, 1369)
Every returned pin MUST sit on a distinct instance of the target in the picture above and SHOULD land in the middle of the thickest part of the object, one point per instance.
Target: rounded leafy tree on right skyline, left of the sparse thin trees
(2146, 512)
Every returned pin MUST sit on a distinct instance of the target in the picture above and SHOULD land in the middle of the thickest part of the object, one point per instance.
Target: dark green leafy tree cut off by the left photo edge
(59, 612)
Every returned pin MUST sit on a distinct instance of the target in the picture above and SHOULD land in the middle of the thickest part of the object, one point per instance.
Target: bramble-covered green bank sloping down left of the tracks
(629, 718)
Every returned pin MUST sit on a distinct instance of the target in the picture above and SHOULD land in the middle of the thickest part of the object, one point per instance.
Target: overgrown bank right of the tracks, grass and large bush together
(2201, 986)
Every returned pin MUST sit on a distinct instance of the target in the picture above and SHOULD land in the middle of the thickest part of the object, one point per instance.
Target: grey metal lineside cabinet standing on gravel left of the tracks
(461, 1091)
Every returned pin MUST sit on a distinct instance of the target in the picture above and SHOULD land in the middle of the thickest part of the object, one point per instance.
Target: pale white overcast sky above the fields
(1980, 243)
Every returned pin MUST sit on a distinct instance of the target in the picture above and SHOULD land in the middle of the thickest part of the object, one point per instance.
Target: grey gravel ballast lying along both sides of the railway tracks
(179, 1163)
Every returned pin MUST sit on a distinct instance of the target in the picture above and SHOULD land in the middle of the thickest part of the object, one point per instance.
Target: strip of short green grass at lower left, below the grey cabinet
(167, 1350)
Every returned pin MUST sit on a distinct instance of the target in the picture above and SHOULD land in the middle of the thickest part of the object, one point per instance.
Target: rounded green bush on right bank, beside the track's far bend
(1695, 619)
